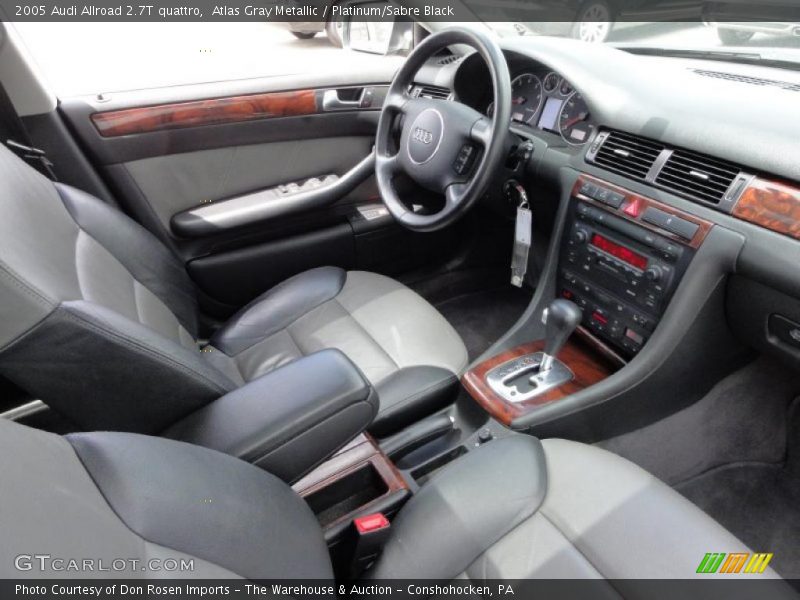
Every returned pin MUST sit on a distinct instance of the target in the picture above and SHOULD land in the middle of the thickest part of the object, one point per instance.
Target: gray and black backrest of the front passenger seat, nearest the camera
(123, 496)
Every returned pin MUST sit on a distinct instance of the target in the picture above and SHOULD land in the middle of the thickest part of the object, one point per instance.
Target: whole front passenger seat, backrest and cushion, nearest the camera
(514, 508)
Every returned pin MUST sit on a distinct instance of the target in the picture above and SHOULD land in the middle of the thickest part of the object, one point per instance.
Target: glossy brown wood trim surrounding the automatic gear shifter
(588, 367)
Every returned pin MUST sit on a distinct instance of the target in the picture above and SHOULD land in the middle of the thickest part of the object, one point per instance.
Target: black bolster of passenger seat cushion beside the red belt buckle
(464, 509)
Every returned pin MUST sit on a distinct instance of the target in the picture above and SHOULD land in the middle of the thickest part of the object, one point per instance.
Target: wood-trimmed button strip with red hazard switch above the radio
(644, 203)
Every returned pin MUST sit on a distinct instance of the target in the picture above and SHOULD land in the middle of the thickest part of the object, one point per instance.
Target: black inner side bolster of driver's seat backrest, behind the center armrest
(106, 372)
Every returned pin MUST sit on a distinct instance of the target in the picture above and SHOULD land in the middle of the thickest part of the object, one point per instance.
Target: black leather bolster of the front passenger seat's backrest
(206, 504)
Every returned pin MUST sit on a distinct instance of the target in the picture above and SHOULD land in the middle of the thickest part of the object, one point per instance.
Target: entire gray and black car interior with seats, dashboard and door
(523, 307)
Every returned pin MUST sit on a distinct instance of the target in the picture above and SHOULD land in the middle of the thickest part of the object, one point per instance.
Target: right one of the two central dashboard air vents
(697, 175)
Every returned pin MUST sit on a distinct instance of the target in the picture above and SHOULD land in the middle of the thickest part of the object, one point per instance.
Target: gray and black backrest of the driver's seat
(95, 313)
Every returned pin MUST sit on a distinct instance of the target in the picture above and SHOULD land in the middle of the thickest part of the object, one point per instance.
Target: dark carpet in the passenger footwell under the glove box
(735, 454)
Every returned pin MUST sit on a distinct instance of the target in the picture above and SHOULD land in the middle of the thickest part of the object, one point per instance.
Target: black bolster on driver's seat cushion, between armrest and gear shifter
(411, 394)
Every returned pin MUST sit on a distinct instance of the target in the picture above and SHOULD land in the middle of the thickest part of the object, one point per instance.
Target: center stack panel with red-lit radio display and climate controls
(619, 267)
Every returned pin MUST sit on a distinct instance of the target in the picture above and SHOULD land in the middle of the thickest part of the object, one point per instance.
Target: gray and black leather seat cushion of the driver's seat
(404, 347)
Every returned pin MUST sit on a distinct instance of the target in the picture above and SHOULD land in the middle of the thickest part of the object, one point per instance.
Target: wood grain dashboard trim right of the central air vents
(771, 204)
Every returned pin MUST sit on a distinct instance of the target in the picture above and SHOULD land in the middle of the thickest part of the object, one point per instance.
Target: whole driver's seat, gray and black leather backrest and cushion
(99, 320)
